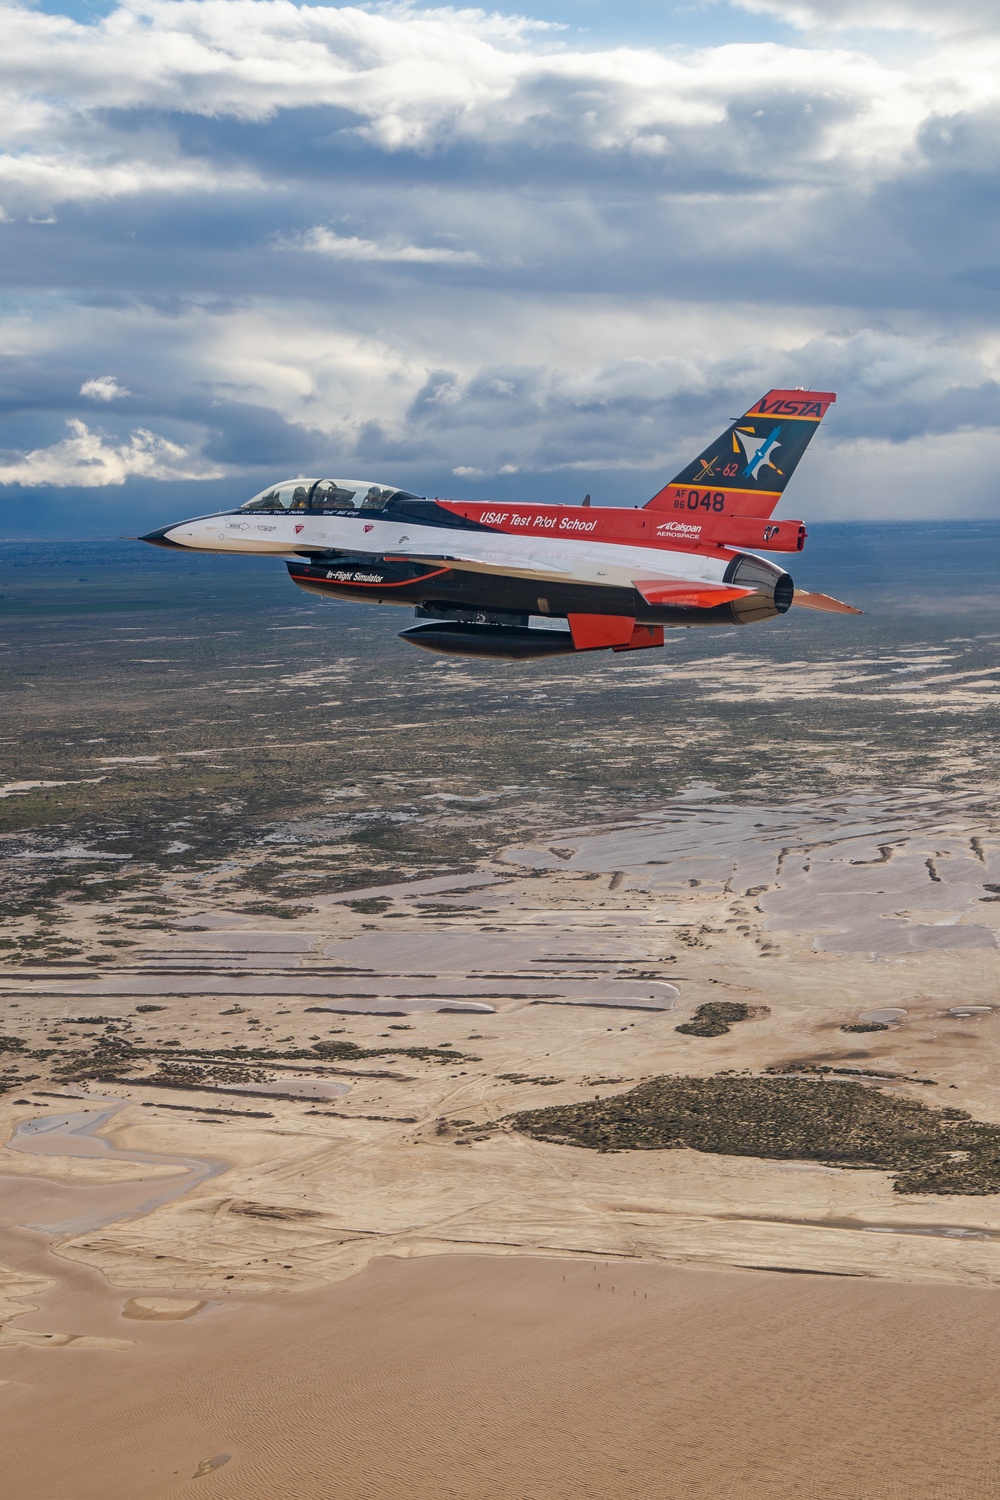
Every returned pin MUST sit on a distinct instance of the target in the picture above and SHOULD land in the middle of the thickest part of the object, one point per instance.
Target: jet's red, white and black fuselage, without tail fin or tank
(376, 542)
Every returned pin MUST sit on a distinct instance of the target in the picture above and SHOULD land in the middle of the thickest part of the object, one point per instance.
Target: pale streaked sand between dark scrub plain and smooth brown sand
(669, 910)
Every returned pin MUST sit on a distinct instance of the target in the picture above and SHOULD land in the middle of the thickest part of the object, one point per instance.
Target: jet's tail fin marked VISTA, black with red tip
(746, 470)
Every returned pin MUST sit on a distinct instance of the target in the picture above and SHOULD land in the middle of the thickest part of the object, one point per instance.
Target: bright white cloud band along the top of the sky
(433, 85)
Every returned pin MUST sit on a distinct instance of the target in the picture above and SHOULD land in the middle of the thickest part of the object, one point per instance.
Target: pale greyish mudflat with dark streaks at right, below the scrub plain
(860, 874)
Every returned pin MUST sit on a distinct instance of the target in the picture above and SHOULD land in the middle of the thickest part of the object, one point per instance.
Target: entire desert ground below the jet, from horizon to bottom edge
(280, 995)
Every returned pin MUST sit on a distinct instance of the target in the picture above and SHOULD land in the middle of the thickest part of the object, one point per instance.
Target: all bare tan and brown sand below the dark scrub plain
(362, 1295)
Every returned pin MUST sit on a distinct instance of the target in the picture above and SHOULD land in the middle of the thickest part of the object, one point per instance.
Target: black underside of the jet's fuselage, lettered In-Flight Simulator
(443, 590)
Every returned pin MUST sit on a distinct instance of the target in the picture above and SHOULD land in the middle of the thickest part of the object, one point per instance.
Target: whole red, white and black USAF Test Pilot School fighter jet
(531, 580)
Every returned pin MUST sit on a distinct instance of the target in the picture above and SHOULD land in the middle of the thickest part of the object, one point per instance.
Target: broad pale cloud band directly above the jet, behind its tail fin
(531, 392)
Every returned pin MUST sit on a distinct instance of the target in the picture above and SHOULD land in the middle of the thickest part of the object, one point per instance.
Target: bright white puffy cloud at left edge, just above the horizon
(89, 461)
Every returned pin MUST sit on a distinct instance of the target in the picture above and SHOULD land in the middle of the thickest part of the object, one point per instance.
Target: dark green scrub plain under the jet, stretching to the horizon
(188, 716)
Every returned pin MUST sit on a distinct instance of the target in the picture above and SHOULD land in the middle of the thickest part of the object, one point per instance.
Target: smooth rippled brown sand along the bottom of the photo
(472, 1379)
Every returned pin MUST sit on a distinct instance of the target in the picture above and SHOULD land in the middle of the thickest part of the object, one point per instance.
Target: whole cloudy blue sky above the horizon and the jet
(493, 254)
